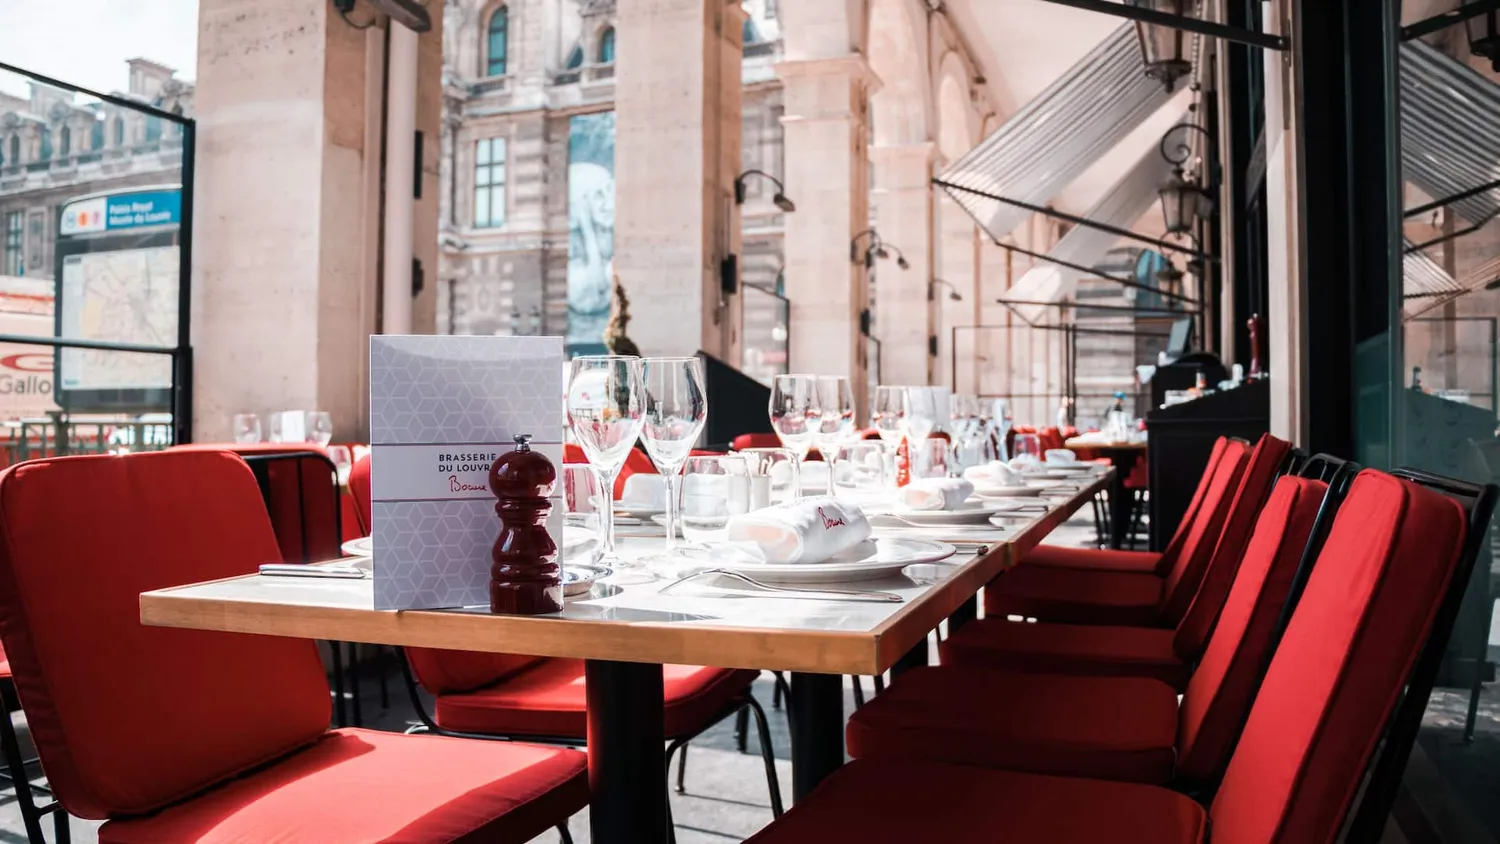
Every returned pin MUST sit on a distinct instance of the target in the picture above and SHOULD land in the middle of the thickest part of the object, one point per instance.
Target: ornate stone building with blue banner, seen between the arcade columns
(527, 188)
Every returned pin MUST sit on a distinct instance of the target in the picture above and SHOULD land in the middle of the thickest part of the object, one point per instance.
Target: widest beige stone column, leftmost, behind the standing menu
(284, 251)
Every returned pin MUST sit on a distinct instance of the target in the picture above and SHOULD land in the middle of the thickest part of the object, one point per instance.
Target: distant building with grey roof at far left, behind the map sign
(55, 148)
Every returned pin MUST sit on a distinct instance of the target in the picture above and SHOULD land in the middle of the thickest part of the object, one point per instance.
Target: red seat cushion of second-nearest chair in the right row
(1099, 728)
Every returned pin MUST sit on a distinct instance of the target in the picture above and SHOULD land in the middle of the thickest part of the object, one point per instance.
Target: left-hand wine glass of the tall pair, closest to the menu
(604, 413)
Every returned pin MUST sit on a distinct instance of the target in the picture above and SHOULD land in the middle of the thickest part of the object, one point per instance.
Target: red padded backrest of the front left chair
(130, 719)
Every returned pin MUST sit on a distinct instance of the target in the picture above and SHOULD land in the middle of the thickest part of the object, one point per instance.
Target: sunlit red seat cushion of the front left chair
(370, 786)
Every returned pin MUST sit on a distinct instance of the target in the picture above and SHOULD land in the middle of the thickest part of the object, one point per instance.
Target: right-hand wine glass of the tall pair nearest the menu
(674, 416)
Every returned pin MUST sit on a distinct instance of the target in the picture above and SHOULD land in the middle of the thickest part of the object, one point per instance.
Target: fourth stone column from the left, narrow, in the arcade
(904, 199)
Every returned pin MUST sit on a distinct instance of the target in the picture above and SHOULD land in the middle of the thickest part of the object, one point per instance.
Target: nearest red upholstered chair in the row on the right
(1381, 596)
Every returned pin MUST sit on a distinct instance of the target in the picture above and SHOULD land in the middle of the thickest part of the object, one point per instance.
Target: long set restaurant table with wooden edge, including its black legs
(626, 633)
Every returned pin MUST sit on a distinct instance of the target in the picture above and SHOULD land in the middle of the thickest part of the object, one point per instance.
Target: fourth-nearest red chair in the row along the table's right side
(1133, 599)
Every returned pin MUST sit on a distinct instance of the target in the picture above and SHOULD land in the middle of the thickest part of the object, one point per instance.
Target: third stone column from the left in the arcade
(827, 170)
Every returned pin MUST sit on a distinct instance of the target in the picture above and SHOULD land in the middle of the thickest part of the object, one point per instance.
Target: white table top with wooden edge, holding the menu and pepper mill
(632, 623)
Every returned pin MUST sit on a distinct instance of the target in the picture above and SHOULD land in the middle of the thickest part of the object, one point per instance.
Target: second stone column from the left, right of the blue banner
(677, 155)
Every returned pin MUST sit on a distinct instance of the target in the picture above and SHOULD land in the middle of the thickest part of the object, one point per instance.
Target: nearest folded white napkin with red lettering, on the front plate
(809, 530)
